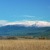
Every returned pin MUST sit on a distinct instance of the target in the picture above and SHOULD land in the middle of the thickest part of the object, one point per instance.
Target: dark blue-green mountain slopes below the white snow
(16, 30)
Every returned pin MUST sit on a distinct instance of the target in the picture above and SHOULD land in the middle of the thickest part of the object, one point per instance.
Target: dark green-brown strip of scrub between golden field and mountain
(22, 37)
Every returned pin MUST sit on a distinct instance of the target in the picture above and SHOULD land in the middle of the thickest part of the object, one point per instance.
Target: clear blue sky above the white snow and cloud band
(17, 10)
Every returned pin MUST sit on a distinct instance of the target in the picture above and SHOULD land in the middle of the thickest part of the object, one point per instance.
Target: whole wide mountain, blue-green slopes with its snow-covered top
(25, 29)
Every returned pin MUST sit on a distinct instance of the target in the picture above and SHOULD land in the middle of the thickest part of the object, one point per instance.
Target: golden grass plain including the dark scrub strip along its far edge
(24, 43)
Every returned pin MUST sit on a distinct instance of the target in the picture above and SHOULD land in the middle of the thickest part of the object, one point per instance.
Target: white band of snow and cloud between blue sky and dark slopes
(25, 23)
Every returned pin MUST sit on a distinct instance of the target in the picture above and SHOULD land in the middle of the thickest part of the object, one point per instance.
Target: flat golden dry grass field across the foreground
(25, 44)
